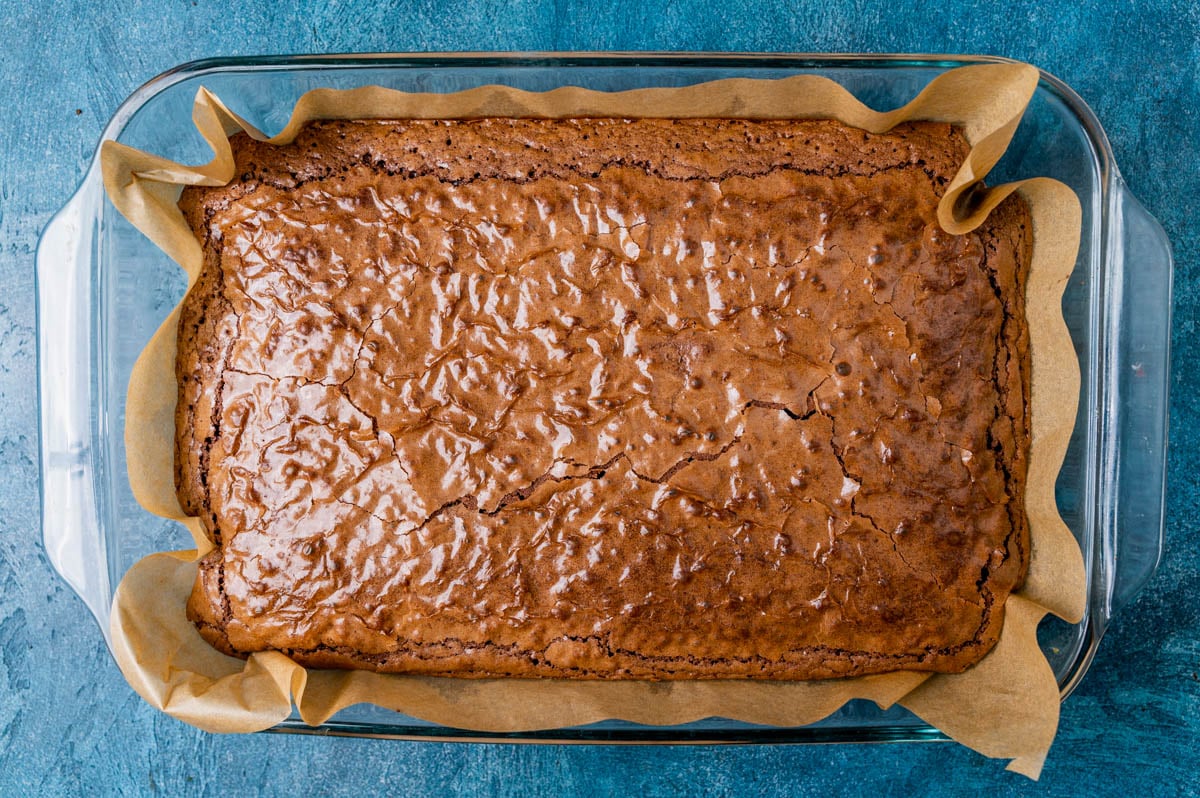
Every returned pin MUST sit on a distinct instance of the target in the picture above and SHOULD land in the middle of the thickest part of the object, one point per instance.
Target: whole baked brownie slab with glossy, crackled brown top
(604, 399)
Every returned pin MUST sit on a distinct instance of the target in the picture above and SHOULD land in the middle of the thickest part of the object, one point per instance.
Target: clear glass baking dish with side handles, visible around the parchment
(103, 290)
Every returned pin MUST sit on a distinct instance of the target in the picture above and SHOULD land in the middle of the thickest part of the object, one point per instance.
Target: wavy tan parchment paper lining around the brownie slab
(1007, 706)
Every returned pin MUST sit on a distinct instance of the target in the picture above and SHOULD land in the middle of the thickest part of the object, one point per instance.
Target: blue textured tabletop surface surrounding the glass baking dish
(70, 725)
